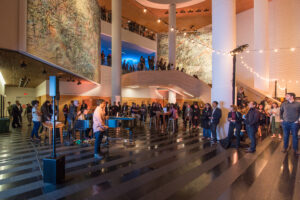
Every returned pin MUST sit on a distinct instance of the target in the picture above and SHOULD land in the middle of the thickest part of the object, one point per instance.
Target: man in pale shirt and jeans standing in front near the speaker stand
(99, 126)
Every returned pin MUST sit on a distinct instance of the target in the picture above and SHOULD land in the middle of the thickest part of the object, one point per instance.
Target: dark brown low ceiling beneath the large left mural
(10, 67)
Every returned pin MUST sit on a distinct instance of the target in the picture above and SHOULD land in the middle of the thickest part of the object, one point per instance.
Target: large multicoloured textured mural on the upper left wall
(66, 33)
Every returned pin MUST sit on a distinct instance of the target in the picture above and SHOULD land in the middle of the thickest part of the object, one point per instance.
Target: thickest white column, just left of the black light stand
(223, 39)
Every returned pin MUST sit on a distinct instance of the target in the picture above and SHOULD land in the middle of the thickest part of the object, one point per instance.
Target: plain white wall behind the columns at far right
(284, 32)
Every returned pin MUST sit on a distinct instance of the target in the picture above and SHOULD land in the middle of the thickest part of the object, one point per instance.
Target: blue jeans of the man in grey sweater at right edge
(289, 127)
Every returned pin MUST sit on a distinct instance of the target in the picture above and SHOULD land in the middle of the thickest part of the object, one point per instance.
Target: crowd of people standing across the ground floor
(247, 117)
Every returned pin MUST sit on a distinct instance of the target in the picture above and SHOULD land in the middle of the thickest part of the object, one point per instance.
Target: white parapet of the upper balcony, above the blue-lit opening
(130, 37)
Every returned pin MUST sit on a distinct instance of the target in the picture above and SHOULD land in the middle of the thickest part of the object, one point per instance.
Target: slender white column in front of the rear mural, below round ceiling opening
(172, 35)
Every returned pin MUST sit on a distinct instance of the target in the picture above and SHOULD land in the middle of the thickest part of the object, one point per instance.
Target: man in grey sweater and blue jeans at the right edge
(290, 117)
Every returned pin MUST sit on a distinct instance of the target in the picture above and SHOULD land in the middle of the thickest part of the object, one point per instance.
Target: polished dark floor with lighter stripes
(159, 166)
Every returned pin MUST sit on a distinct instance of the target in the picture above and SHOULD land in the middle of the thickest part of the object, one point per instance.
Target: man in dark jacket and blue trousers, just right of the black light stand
(251, 120)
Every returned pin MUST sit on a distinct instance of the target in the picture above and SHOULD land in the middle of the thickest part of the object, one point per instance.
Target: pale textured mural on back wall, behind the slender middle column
(193, 57)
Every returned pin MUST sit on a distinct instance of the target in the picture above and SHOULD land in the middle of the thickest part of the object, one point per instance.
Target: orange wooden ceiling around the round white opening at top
(187, 18)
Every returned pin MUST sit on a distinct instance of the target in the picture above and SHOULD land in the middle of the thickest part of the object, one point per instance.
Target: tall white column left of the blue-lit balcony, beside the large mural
(116, 47)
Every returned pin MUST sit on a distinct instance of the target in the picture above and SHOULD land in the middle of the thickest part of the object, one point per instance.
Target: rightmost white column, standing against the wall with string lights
(261, 42)
